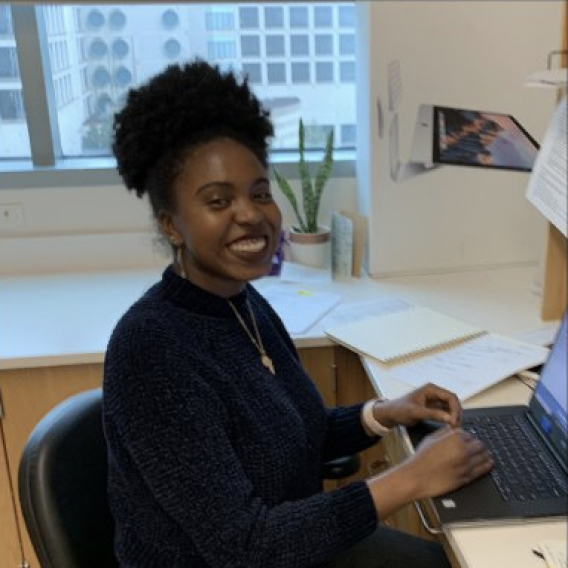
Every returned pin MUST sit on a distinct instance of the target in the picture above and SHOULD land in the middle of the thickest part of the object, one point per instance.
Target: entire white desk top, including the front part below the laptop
(66, 320)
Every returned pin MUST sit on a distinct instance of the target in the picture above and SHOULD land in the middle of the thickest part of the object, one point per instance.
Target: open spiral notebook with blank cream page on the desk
(395, 336)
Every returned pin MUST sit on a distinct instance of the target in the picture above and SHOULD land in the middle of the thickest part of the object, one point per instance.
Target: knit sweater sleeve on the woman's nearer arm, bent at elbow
(185, 456)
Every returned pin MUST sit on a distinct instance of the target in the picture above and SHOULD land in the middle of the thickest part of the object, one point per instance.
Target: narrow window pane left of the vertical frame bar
(14, 137)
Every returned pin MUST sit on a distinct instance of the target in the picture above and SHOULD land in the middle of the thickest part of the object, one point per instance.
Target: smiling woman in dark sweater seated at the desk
(216, 436)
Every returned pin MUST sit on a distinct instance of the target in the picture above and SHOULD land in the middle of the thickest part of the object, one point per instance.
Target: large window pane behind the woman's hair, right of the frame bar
(98, 52)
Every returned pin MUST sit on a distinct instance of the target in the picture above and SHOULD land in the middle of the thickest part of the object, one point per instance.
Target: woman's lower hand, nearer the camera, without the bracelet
(446, 460)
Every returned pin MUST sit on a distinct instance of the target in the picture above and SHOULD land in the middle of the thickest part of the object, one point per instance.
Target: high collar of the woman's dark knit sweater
(188, 295)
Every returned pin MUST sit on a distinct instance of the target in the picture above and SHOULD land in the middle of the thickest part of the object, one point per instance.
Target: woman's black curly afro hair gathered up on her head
(182, 107)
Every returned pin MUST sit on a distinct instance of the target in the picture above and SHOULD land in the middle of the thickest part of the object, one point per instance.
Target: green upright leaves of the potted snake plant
(311, 189)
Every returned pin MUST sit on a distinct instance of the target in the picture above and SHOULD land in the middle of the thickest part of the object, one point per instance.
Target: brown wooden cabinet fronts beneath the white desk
(28, 394)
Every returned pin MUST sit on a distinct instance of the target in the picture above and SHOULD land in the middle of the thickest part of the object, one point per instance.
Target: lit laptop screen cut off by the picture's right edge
(548, 404)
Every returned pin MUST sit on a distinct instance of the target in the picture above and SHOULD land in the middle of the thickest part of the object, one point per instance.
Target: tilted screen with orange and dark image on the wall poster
(482, 139)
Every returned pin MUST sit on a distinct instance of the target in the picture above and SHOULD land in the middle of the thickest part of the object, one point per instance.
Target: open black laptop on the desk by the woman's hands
(541, 486)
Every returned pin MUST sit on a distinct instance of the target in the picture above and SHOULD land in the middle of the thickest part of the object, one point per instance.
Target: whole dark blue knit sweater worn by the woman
(213, 461)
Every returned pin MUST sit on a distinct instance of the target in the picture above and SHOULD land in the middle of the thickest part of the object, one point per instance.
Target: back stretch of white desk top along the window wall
(67, 318)
